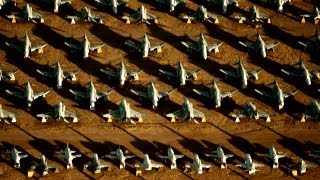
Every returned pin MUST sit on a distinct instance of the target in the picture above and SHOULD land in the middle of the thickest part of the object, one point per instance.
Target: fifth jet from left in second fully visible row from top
(259, 46)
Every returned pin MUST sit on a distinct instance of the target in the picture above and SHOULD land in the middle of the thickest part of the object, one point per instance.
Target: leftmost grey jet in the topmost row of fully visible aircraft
(27, 14)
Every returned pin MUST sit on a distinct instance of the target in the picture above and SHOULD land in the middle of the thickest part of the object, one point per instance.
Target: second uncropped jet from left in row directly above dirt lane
(124, 113)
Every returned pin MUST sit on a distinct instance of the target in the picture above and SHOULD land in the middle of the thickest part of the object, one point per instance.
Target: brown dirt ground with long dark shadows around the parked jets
(94, 135)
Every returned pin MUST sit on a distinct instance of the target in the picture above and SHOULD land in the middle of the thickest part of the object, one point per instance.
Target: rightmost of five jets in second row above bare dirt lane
(277, 94)
